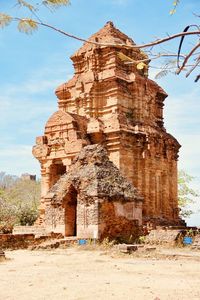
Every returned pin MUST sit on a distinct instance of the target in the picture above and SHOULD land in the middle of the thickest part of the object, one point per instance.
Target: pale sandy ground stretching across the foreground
(83, 274)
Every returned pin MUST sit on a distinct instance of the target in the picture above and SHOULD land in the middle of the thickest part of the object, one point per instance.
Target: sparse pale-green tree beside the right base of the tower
(186, 195)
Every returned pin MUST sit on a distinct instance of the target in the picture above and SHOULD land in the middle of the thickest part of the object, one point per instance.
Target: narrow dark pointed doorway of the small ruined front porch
(70, 205)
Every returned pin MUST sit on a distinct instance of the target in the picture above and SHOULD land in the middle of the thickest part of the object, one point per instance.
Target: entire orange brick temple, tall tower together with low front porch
(115, 105)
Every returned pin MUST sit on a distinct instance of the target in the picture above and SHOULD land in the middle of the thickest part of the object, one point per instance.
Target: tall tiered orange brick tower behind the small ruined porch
(114, 104)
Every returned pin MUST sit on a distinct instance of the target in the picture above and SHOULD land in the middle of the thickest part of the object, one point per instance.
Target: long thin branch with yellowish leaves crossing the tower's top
(30, 25)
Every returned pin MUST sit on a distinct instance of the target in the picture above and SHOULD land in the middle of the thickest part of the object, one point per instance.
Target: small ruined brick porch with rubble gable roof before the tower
(76, 204)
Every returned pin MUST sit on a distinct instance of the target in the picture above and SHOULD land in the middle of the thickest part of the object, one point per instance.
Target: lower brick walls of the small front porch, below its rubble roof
(99, 218)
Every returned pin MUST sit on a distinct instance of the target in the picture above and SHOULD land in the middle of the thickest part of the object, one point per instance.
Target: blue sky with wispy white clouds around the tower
(33, 66)
